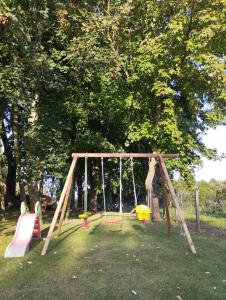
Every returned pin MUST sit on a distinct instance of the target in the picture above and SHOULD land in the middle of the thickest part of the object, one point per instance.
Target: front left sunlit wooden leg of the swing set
(52, 226)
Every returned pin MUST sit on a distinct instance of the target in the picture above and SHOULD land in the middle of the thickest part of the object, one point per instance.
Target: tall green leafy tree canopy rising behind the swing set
(109, 76)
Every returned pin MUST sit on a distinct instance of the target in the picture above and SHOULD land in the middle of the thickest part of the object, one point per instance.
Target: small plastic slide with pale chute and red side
(28, 228)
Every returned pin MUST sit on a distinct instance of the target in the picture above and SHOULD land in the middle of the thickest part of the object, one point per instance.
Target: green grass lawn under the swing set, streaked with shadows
(135, 261)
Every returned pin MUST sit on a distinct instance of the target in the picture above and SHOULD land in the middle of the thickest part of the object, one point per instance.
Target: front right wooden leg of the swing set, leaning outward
(169, 183)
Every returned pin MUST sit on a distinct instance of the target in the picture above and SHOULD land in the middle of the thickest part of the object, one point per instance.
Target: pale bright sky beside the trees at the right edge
(215, 138)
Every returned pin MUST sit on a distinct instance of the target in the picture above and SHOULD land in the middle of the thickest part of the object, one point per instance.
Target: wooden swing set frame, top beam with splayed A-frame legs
(166, 184)
